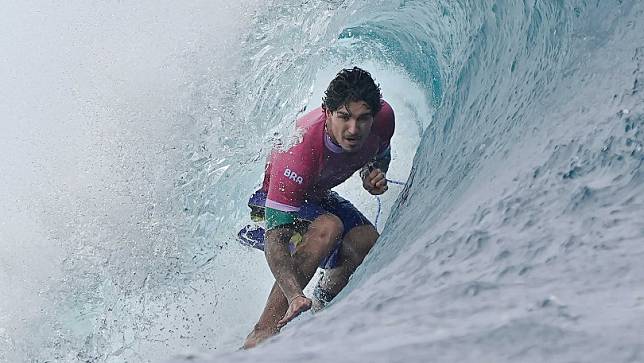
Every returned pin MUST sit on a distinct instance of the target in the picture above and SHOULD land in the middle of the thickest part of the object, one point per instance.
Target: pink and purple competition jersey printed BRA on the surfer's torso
(315, 165)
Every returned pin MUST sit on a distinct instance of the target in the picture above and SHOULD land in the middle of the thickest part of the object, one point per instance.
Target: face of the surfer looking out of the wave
(350, 125)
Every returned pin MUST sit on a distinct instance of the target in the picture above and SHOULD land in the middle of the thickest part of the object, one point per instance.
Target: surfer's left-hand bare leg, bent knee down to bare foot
(316, 245)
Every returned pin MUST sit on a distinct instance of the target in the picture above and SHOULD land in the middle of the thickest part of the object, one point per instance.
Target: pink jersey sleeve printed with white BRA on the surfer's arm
(292, 173)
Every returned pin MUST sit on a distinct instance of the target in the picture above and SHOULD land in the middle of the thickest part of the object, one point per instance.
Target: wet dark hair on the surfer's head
(352, 85)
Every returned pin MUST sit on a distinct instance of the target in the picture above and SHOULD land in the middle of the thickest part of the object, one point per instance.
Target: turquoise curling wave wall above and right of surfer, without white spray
(518, 233)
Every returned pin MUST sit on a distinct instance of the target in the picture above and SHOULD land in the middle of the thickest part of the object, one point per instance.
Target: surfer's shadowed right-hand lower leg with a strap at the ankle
(356, 244)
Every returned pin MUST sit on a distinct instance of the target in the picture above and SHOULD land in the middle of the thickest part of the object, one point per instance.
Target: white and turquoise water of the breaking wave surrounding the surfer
(518, 236)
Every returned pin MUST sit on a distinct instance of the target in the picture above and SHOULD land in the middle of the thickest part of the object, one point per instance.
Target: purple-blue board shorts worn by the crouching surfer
(330, 203)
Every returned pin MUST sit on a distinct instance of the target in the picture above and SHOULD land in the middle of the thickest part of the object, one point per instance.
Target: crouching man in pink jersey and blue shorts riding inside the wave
(350, 132)
